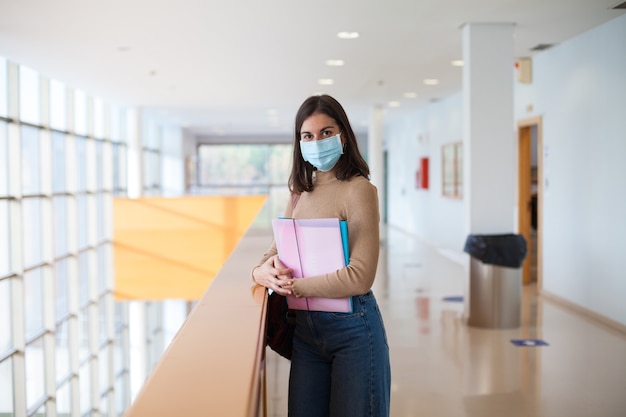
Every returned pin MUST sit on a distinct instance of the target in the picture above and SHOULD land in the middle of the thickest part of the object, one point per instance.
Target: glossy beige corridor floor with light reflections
(443, 368)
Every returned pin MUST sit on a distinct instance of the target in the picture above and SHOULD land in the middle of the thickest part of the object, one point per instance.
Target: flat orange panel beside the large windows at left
(167, 248)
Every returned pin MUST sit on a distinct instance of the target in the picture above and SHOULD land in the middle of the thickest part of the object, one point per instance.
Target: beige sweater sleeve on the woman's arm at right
(362, 215)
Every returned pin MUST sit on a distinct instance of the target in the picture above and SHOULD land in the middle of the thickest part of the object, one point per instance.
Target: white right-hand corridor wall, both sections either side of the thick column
(579, 90)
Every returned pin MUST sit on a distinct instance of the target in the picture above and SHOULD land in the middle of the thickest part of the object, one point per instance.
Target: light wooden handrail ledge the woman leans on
(215, 364)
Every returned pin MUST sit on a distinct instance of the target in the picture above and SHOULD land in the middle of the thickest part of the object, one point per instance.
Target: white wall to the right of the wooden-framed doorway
(579, 88)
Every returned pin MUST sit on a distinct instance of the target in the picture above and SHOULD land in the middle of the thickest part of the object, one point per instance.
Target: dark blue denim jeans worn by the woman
(340, 365)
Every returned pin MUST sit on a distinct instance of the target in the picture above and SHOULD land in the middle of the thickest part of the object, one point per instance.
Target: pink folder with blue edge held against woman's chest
(312, 247)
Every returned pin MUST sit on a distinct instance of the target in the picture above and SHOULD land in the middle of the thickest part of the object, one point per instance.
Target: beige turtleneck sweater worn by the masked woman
(354, 200)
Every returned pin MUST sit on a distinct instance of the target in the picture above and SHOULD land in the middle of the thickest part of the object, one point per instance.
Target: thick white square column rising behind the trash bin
(488, 133)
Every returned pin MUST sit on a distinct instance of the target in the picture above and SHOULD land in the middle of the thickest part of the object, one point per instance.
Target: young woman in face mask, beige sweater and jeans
(340, 363)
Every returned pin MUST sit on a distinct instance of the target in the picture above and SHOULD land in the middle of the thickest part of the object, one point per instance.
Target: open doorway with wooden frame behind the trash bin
(530, 161)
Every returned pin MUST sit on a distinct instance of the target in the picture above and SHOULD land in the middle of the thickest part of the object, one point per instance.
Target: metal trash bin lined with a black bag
(495, 290)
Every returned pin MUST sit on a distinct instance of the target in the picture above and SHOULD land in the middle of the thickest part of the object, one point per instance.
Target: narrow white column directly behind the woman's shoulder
(375, 155)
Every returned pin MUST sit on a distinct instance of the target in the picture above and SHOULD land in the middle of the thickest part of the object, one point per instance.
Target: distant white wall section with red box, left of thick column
(425, 213)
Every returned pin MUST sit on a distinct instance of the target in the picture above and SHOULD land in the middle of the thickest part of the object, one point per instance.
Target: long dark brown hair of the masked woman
(350, 164)
